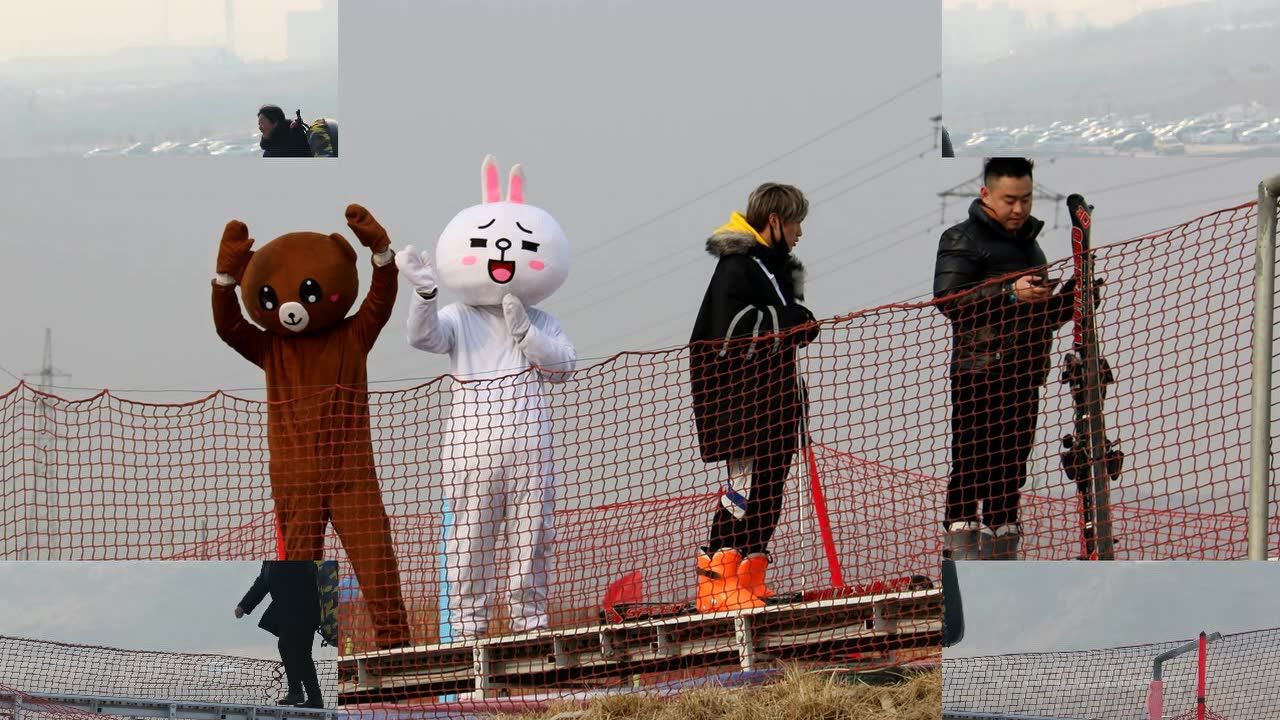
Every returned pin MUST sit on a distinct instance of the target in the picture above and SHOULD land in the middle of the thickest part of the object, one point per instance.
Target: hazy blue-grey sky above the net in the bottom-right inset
(1059, 607)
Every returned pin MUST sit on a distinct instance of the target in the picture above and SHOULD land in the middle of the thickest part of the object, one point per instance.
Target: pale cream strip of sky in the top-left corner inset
(93, 28)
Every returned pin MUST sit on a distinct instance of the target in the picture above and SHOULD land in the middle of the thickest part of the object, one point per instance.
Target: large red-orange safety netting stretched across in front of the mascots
(113, 479)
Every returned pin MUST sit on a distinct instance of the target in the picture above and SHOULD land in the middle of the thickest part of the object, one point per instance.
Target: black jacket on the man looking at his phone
(990, 332)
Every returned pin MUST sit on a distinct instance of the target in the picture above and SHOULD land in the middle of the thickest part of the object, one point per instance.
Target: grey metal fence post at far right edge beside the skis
(1260, 417)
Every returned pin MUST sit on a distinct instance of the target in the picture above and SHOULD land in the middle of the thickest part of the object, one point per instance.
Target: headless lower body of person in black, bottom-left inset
(294, 617)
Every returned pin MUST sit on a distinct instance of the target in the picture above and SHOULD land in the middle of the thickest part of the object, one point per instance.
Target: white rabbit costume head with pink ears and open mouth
(502, 247)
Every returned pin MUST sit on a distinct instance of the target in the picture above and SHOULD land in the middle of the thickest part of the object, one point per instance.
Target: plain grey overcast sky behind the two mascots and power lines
(116, 257)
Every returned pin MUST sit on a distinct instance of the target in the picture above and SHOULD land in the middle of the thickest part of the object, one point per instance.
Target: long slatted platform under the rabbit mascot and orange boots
(592, 657)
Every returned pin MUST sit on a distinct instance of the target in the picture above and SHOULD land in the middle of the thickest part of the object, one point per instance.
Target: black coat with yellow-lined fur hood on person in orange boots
(746, 393)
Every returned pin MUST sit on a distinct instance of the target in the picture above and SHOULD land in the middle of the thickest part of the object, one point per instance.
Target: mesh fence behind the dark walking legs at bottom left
(45, 668)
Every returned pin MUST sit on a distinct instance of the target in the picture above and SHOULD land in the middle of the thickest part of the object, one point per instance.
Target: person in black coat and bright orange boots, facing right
(747, 394)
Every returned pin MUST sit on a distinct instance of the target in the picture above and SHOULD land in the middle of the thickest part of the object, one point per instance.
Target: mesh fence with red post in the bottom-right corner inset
(1242, 682)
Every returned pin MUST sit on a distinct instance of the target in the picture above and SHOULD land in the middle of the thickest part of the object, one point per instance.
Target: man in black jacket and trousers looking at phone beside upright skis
(991, 282)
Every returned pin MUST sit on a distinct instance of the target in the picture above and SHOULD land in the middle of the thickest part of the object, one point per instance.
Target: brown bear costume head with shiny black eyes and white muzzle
(301, 282)
